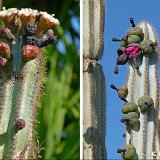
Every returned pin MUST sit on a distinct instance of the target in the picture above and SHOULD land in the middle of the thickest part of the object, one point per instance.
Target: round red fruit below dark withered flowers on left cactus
(30, 52)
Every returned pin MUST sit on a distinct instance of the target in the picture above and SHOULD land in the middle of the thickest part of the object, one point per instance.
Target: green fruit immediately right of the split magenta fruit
(145, 46)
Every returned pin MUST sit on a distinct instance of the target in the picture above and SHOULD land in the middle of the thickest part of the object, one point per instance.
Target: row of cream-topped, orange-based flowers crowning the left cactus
(13, 17)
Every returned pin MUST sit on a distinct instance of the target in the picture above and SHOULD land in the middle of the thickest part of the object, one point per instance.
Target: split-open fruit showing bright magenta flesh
(133, 51)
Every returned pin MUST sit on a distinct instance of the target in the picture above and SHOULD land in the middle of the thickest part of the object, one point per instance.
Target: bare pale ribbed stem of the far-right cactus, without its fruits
(145, 138)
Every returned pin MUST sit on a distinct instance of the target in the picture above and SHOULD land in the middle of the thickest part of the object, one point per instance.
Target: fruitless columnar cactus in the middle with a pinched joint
(93, 81)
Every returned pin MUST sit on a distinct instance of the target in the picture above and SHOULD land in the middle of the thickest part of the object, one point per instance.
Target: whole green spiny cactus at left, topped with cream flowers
(22, 71)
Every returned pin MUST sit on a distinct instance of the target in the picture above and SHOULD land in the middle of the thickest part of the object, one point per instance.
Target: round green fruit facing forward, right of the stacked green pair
(145, 103)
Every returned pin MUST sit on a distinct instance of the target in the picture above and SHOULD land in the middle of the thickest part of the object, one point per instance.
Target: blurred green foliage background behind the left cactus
(59, 111)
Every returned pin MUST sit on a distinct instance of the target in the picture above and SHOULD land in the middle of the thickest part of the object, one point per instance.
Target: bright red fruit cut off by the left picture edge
(5, 51)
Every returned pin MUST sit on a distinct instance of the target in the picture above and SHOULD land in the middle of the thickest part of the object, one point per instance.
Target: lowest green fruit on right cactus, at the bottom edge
(130, 152)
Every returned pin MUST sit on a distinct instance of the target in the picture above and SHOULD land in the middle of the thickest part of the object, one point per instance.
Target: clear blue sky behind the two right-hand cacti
(117, 14)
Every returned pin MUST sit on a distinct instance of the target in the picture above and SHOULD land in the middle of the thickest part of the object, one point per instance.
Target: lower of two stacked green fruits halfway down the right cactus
(130, 119)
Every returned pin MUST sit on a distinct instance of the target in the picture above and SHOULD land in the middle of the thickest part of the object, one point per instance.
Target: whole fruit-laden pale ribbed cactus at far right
(141, 111)
